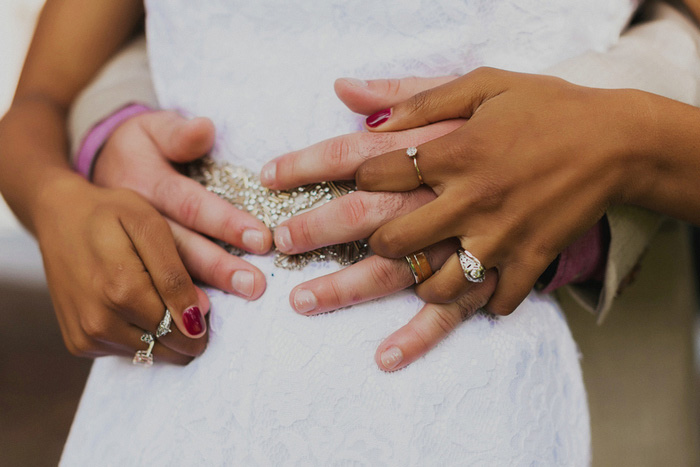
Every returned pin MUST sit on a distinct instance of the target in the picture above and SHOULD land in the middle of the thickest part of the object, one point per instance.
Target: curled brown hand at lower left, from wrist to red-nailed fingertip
(113, 269)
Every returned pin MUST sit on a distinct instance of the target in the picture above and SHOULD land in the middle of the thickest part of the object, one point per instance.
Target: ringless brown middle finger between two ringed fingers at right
(427, 225)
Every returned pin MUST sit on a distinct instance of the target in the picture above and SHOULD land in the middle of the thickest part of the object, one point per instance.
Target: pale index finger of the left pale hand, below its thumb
(191, 205)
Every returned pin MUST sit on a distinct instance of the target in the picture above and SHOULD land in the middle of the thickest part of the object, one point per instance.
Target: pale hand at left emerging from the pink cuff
(138, 156)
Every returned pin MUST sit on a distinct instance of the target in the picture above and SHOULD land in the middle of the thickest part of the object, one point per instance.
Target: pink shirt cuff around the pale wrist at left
(96, 137)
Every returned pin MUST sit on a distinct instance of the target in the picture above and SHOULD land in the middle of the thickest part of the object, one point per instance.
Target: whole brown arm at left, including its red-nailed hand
(110, 259)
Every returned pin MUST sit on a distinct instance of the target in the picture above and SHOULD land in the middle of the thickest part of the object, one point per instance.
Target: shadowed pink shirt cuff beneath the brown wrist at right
(583, 260)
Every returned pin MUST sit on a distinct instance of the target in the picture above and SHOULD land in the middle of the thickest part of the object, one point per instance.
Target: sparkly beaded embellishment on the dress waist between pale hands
(242, 188)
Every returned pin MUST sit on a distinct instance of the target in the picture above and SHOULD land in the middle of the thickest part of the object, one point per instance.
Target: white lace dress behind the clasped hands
(278, 388)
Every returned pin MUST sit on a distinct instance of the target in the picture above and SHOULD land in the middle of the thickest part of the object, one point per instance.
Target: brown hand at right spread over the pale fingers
(534, 166)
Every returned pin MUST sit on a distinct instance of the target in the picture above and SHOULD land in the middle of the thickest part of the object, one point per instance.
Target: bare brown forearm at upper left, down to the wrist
(72, 40)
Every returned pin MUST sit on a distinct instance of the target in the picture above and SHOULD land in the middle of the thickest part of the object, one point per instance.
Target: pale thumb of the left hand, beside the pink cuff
(178, 139)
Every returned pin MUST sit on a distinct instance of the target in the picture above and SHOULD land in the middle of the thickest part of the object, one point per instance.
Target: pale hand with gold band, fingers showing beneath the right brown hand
(357, 215)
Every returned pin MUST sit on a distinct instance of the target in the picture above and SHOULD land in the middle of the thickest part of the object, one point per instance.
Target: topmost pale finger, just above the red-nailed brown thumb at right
(368, 97)
